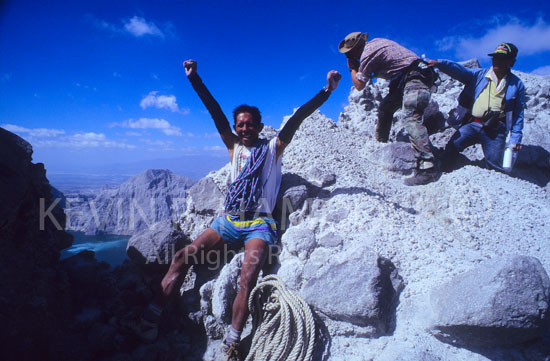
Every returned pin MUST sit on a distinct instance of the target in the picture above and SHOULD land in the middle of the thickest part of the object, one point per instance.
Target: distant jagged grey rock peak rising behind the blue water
(139, 203)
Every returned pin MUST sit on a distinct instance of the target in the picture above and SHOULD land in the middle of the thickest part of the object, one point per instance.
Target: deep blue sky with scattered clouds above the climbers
(100, 82)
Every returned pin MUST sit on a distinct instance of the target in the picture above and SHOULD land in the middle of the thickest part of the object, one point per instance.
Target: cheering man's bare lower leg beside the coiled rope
(255, 252)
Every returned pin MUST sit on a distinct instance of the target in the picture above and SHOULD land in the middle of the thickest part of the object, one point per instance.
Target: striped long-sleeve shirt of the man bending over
(383, 58)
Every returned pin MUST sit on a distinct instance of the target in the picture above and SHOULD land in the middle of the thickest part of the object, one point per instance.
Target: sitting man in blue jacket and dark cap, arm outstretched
(490, 106)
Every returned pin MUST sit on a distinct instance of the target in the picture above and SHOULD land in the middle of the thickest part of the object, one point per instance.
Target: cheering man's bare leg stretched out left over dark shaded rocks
(194, 253)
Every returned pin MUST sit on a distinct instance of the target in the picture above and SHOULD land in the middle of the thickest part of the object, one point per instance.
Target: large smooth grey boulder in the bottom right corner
(502, 302)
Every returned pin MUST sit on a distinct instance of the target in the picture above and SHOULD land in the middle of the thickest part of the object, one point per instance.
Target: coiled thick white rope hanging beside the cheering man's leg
(283, 324)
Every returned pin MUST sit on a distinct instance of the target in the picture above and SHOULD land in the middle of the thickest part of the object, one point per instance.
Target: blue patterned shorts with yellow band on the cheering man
(237, 233)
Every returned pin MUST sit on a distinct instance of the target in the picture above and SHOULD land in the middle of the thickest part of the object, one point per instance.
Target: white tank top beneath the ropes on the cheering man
(270, 178)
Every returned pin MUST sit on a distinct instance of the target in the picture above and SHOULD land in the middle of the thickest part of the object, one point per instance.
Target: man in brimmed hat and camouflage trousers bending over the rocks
(410, 83)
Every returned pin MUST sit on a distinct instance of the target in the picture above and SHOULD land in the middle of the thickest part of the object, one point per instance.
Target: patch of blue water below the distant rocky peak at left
(107, 248)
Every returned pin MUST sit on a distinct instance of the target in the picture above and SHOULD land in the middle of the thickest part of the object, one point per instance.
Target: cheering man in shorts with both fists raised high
(247, 221)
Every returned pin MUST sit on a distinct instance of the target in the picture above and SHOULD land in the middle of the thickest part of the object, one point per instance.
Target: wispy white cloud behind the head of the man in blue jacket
(530, 39)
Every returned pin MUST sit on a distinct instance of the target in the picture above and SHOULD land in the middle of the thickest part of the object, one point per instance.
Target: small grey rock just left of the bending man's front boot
(395, 157)
